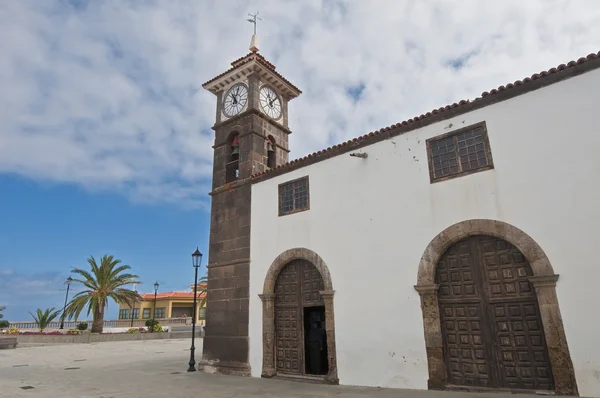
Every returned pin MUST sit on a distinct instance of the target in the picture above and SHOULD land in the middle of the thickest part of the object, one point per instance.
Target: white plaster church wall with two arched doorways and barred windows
(371, 219)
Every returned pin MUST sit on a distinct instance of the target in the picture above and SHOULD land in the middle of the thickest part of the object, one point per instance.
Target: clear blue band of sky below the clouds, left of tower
(49, 228)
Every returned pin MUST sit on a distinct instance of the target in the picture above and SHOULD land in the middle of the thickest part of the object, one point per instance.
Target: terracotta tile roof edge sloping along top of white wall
(327, 152)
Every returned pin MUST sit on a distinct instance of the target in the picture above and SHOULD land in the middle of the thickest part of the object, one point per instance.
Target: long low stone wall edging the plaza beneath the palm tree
(33, 340)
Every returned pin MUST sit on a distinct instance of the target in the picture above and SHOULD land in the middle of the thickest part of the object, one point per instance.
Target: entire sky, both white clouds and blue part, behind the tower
(105, 130)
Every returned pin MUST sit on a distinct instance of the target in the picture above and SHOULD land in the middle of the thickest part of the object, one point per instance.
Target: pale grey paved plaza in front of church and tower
(149, 369)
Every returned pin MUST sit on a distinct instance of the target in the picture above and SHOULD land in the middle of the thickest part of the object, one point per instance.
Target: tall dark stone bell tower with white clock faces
(251, 136)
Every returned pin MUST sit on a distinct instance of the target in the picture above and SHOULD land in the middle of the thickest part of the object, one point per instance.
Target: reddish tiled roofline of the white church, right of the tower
(356, 142)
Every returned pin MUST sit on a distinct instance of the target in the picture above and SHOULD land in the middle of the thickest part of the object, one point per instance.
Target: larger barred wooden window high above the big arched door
(458, 153)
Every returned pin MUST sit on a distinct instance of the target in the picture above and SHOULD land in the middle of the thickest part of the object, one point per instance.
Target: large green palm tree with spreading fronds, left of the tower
(102, 282)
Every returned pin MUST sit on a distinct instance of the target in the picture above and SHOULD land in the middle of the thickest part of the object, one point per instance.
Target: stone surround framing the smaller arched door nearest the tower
(268, 300)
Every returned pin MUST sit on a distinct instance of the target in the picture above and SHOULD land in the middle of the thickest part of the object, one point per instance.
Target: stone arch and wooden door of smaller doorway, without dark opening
(298, 279)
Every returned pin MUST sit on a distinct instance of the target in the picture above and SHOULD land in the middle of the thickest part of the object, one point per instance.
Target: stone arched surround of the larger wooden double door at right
(543, 280)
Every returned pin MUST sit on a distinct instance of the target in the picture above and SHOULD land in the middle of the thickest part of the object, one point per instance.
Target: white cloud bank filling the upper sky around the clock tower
(107, 95)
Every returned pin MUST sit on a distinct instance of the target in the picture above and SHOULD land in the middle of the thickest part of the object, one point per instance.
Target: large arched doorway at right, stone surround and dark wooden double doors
(454, 248)
